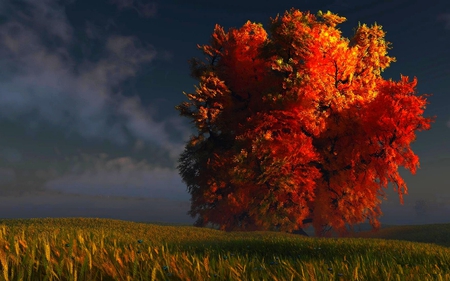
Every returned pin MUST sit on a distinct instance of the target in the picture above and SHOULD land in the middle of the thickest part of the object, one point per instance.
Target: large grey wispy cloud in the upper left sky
(45, 83)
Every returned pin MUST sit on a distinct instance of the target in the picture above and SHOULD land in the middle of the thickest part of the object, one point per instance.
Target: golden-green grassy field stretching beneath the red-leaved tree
(104, 249)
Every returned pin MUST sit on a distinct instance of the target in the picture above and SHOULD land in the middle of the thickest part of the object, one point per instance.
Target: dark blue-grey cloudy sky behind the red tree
(88, 88)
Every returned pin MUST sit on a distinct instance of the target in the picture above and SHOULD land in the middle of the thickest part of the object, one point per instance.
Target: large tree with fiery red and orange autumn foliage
(297, 129)
